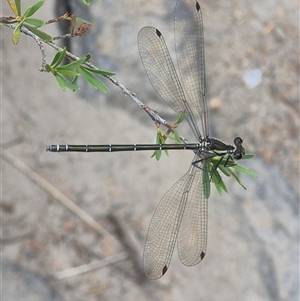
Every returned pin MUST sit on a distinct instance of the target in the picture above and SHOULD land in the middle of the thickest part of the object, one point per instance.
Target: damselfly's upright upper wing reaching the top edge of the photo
(189, 45)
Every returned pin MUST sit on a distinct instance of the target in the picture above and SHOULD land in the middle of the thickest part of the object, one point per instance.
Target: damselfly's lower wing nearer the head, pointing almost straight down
(192, 235)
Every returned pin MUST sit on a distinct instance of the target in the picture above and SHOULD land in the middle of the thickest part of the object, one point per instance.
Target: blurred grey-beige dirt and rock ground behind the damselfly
(253, 239)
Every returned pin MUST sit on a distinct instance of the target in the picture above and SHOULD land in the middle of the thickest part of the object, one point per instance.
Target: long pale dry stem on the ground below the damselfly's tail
(56, 194)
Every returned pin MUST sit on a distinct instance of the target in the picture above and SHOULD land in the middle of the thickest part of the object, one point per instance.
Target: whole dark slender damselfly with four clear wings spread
(182, 213)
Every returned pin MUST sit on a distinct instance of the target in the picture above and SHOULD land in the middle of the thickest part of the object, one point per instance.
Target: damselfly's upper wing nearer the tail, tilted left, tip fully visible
(161, 73)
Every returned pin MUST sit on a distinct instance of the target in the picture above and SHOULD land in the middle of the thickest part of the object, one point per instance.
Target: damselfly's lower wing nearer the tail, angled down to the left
(165, 224)
